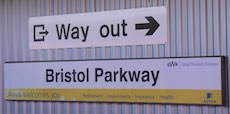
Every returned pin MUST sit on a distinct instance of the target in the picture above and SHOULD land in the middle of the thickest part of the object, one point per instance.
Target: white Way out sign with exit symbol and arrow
(109, 28)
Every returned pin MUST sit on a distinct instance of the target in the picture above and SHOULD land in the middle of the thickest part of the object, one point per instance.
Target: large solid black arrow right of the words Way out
(152, 25)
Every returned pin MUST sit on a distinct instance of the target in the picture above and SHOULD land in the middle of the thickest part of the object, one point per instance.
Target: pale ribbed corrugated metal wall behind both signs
(196, 28)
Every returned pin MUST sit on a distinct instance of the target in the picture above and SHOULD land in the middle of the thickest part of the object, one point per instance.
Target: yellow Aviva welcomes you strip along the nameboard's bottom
(212, 97)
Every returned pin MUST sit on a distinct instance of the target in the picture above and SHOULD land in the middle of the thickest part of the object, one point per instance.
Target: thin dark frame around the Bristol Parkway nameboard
(223, 78)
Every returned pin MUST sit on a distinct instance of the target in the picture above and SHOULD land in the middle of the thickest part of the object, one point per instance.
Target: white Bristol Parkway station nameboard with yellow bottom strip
(171, 80)
